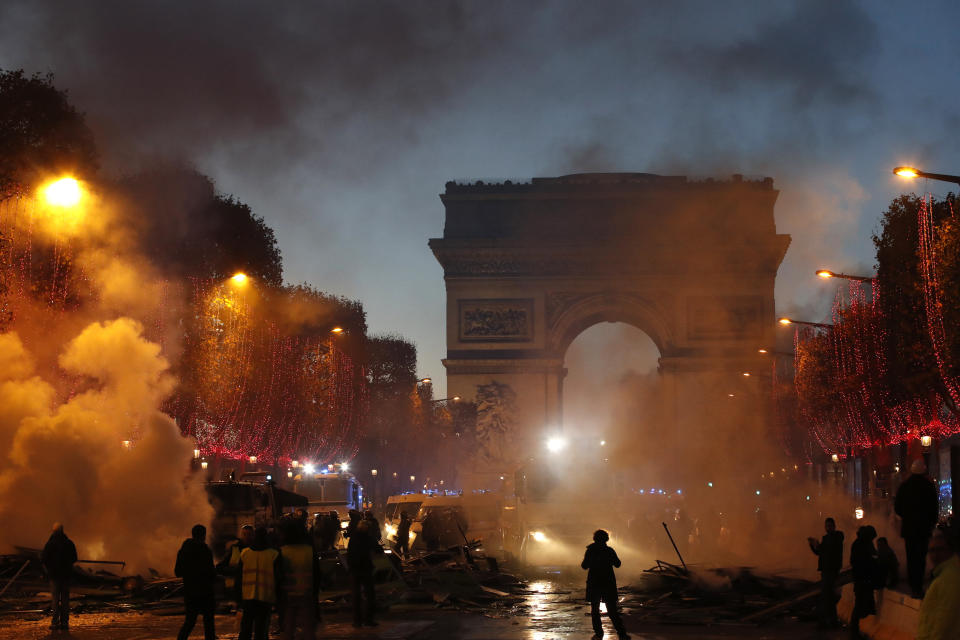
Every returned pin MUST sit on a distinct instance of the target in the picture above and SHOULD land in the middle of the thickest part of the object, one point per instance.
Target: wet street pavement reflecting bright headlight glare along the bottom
(551, 609)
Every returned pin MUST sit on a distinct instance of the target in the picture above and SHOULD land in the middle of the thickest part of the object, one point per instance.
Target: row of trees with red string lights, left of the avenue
(261, 370)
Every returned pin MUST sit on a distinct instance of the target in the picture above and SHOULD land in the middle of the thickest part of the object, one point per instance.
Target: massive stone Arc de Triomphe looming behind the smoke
(529, 266)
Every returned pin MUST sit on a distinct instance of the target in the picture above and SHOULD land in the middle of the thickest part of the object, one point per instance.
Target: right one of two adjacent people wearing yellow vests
(300, 583)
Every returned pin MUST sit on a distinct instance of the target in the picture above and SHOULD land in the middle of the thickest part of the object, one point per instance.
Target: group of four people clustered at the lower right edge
(874, 564)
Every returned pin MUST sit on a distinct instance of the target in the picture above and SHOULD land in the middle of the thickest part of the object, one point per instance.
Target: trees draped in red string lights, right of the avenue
(888, 369)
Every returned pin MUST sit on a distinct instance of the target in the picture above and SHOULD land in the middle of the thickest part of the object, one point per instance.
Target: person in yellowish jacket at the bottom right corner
(940, 609)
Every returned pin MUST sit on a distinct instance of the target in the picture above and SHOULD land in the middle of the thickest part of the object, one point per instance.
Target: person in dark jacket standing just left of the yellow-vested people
(195, 566)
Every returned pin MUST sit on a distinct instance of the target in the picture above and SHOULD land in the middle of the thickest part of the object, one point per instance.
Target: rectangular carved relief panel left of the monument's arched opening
(496, 320)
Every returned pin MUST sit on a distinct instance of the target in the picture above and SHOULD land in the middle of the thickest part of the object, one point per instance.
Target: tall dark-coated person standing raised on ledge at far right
(917, 504)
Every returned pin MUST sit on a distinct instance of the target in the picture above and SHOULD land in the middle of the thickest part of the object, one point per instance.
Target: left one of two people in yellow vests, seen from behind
(259, 577)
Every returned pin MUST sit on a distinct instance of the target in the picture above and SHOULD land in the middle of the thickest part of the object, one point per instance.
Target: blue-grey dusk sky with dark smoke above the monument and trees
(340, 122)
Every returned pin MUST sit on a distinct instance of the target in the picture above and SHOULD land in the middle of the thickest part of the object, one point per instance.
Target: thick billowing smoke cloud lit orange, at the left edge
(65, 459)
